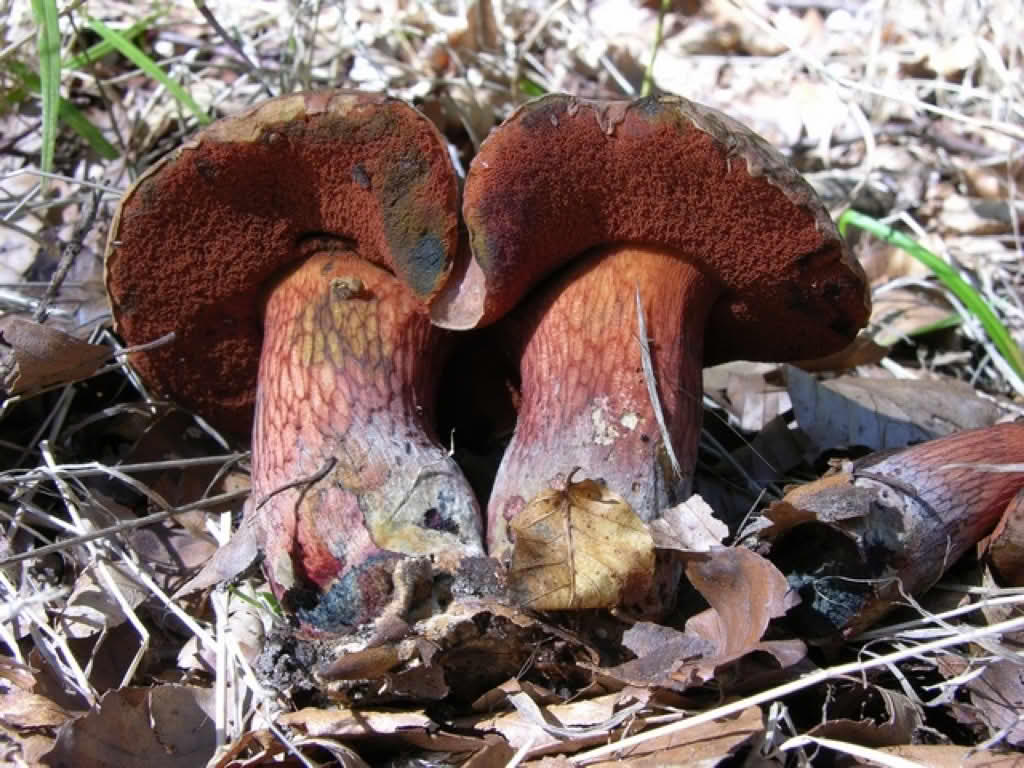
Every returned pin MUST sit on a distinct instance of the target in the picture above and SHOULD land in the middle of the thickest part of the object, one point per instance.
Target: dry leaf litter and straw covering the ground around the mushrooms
(920, 121)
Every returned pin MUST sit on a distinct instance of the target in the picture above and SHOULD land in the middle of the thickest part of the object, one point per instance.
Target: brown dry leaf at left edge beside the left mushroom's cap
(34, 357)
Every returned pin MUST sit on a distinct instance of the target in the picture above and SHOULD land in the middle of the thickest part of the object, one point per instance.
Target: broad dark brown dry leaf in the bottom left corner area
(167, 727)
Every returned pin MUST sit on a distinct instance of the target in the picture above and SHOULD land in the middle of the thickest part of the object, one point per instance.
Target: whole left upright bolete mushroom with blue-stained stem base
(293, 250)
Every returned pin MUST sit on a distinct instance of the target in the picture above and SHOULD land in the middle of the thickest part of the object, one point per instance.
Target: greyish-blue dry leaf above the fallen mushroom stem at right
(881, 414)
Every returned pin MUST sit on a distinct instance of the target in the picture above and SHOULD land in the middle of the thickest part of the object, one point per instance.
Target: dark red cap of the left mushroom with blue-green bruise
(200, 239)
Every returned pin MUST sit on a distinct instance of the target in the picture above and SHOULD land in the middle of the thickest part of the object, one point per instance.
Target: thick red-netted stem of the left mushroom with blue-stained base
(345, 456)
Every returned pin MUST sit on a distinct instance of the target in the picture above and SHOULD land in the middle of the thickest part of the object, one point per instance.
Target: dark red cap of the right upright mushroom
(565, 176)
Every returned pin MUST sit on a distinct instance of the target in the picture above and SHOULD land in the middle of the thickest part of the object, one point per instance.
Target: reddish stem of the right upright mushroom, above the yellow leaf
(585, 400)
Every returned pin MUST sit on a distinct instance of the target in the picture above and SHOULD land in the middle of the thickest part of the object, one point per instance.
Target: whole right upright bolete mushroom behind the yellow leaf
(730, 250)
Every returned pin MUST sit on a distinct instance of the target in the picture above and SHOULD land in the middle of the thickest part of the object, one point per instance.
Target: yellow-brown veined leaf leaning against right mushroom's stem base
(578, 548)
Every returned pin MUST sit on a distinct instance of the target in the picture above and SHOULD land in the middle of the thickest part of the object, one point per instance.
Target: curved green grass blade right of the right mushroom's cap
(951, 279)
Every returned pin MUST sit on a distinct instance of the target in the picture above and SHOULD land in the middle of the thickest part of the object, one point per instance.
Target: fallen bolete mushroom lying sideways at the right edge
(856, 544)
